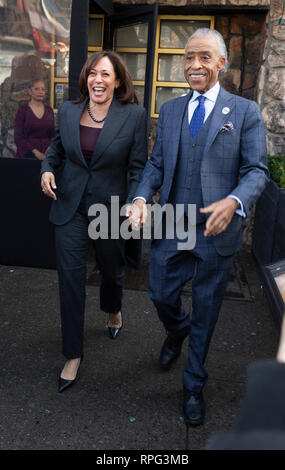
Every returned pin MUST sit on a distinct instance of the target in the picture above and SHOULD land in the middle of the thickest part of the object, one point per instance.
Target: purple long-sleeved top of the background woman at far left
(30, 132)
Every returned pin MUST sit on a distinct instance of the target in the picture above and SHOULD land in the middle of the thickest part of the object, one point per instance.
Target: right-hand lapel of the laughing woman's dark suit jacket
(116, 117)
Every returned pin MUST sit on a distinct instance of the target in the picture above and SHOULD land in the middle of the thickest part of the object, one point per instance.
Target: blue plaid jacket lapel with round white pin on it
(219, 116)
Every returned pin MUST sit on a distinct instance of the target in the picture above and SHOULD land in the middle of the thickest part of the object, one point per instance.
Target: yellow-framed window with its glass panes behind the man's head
(171, 37)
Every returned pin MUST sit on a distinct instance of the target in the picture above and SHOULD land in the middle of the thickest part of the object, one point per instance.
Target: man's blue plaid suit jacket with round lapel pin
(234, 159)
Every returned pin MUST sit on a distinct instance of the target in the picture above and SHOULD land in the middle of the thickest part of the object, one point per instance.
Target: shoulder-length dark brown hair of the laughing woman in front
(125, 92)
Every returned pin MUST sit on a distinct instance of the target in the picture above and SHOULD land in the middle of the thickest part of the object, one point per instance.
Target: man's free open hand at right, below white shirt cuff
(221, 215)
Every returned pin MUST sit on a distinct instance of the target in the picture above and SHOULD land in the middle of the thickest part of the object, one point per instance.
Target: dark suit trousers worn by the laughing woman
(72, 245)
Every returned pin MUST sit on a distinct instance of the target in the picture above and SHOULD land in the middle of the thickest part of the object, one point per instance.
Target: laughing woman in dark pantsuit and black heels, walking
(100, 149)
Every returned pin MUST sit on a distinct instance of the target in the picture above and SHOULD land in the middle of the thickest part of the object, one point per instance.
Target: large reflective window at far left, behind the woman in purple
(34, 45)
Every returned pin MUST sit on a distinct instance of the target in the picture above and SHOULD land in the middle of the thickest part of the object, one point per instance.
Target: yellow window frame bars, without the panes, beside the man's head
(158, 83)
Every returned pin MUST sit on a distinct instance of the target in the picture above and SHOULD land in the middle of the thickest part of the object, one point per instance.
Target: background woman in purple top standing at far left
(34, 126)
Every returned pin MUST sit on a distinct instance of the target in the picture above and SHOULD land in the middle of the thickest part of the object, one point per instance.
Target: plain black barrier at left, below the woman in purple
(26, 235)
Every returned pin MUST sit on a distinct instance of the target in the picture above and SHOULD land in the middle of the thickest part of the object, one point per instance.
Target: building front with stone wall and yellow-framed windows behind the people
(37, 36)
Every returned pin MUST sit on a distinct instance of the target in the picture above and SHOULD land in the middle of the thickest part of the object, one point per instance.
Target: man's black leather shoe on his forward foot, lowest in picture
(193, 408)
